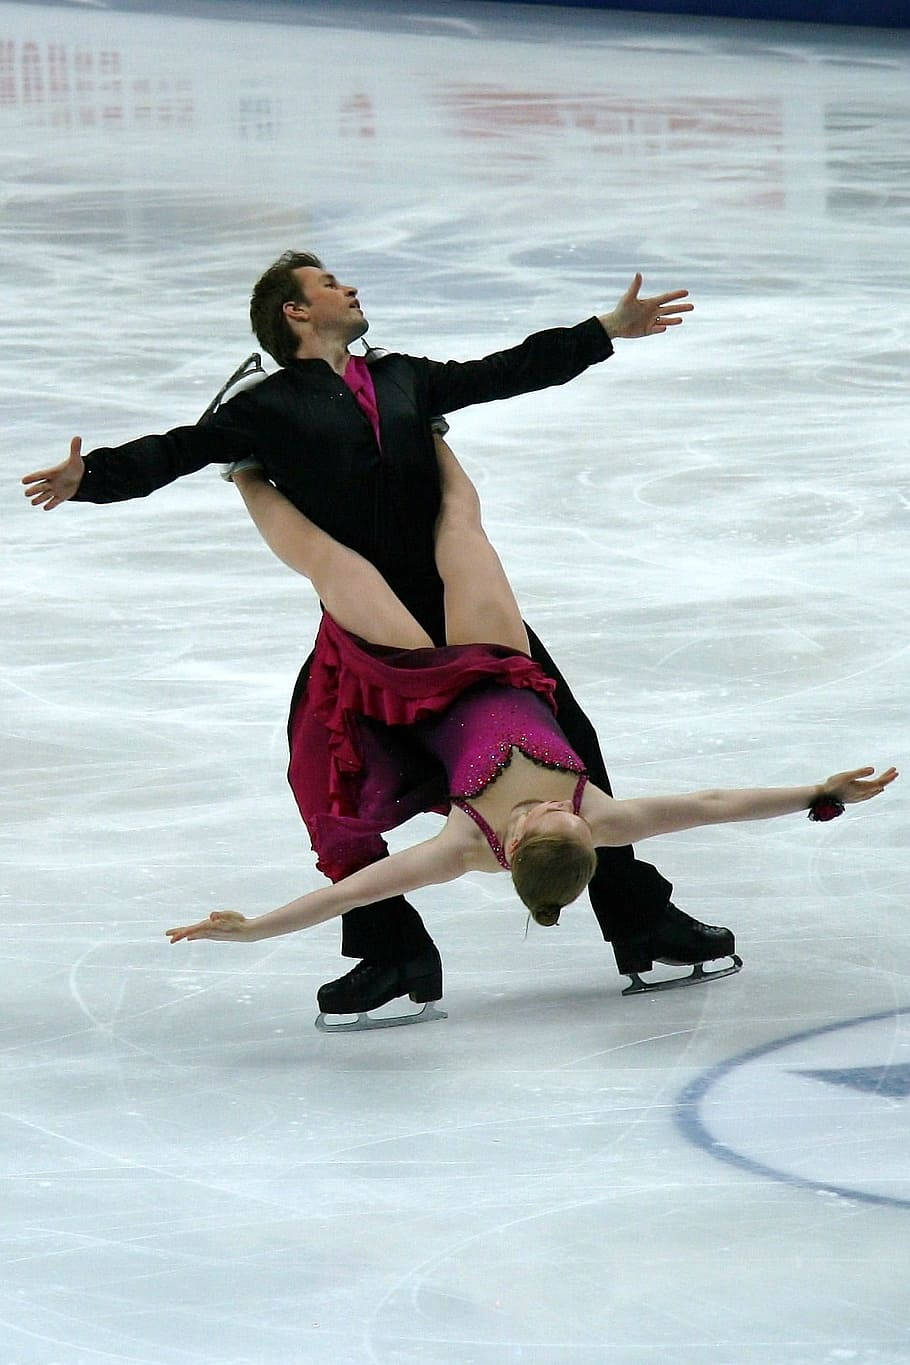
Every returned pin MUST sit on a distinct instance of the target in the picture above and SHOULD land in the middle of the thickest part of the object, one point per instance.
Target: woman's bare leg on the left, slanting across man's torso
(350, 588)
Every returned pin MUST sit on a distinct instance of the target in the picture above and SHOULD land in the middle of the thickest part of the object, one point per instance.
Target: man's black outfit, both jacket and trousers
(317, 446)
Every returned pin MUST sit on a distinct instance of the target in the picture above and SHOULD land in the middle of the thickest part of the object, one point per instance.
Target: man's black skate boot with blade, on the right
(677, 941)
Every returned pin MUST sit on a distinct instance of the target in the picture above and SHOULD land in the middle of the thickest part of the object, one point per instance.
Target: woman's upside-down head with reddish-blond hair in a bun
(552, 867)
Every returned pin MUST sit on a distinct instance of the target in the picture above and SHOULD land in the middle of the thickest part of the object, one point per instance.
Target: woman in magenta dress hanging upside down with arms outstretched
(475, 712)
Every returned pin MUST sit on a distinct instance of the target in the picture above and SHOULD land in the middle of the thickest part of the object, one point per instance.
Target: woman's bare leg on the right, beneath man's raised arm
(480, 603)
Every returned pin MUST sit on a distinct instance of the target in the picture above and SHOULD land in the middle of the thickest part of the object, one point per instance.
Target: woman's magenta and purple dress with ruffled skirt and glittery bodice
(380, 735)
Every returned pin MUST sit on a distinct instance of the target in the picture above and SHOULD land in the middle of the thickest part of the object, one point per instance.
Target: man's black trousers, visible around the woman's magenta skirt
(627, 895)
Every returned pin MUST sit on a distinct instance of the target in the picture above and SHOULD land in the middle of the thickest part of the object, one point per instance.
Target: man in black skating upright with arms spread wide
(349, 442)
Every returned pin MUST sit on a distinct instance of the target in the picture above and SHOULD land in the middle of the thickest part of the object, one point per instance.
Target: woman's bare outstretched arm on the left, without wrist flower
(440, 859)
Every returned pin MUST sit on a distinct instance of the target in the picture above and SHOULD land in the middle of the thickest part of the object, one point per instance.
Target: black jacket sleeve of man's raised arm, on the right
(540, 362)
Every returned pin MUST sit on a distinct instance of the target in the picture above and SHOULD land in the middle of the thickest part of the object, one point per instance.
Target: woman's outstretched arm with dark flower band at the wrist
(617, 824)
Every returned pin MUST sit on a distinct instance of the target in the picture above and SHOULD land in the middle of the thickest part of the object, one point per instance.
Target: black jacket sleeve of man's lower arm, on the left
(115, 474)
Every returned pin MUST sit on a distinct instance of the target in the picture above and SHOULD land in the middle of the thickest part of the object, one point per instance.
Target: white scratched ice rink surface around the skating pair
(710, 532)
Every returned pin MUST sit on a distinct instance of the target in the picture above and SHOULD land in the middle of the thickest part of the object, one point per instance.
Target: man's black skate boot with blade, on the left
(372, 985)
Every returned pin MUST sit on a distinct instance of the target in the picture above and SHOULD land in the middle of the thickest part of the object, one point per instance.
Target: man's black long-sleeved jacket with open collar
(319, 448)
